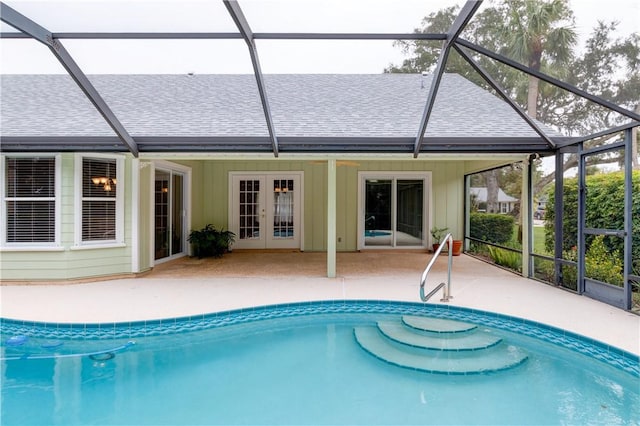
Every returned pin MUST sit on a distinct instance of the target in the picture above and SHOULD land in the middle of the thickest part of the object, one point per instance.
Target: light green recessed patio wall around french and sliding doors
(211, 194)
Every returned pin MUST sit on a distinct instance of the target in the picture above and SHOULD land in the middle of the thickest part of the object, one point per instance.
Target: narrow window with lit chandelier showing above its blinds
(101, 195)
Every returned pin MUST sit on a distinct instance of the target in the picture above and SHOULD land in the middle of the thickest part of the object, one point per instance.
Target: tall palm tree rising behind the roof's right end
(539, 34)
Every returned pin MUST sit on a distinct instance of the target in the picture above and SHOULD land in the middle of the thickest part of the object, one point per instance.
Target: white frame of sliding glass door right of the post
(425, 176)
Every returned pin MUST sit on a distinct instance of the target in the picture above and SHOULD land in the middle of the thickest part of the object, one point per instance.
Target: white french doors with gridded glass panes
(265, 210)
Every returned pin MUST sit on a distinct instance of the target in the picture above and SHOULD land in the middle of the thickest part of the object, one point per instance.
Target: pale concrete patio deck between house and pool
(194, 286)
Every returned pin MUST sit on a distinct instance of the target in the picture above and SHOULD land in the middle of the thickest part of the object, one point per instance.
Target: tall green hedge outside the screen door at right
(605, 207)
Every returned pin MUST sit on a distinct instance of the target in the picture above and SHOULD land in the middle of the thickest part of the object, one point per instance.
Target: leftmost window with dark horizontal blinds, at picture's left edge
(30, 204)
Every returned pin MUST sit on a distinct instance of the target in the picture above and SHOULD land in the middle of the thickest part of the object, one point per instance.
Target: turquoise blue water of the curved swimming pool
(300, 364)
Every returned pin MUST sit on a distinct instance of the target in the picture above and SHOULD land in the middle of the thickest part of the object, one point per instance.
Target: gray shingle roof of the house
(307, 105)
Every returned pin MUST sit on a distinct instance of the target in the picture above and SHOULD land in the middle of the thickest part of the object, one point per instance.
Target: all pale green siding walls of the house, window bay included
(209, 204)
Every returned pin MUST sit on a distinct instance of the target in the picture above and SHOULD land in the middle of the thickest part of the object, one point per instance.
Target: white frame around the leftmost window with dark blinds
(31, 246)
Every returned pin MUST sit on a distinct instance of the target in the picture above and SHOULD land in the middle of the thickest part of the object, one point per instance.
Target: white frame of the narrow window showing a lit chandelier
(118, 241)
